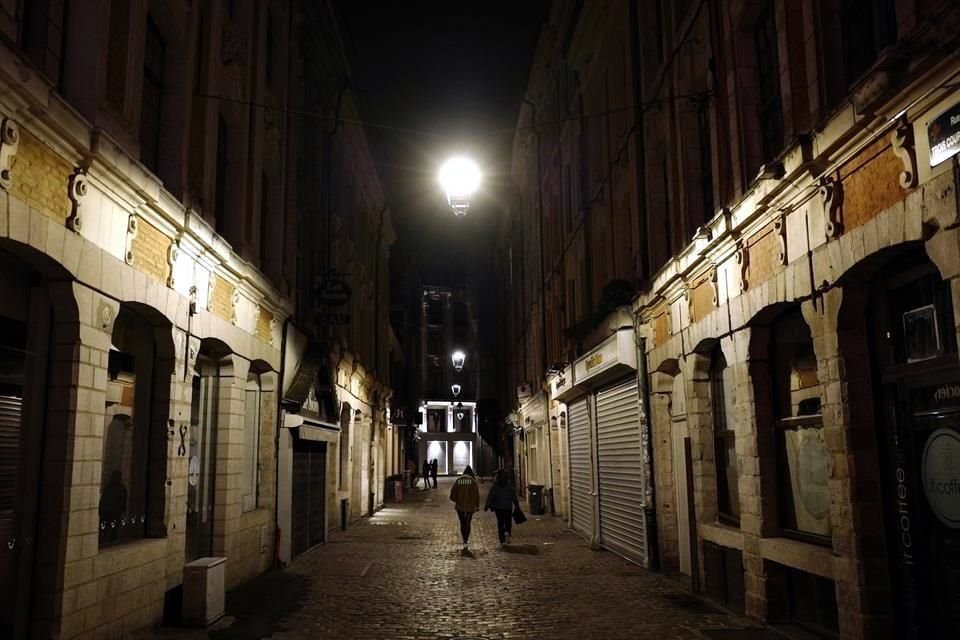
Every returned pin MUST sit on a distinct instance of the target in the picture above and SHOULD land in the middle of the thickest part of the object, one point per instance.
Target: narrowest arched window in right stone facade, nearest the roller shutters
(724, 440)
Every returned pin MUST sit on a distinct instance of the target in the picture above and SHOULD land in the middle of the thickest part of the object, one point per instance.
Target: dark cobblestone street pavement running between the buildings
(401, 575)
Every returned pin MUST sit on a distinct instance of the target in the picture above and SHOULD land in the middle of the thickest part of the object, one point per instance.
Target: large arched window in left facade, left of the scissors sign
(126, 436)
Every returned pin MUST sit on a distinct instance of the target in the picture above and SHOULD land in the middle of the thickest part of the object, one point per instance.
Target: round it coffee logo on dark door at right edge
(940, 467)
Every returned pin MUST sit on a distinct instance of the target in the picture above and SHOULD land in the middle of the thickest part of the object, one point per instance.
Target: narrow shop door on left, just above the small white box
(201, 466)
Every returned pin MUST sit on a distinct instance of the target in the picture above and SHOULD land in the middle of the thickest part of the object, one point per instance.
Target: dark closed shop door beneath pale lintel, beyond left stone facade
(309, 495)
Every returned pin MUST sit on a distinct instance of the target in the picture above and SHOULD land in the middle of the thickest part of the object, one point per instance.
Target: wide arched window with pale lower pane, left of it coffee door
(803, 496)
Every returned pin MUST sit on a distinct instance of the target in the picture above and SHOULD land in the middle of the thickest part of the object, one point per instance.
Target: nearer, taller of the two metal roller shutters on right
(620, 471)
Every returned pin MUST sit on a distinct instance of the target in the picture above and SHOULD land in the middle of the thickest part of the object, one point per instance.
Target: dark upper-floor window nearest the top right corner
(867, 28)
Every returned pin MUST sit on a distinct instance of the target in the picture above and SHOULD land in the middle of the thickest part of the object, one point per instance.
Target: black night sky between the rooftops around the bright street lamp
(456, 70)
